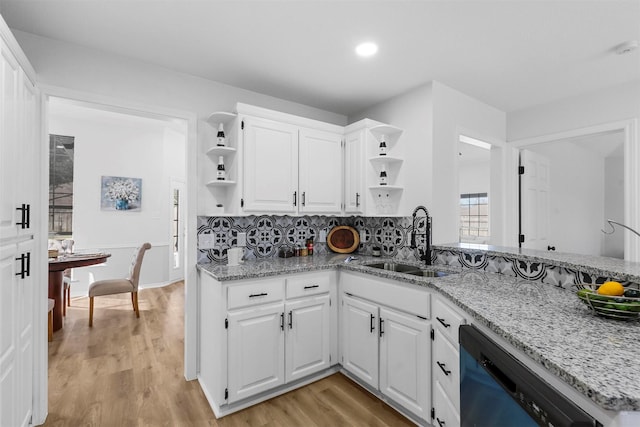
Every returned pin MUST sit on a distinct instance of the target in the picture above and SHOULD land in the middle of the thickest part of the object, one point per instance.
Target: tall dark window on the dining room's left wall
(61, 185)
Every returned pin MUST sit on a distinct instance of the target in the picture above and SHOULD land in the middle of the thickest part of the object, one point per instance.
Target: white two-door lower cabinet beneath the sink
(387, 348)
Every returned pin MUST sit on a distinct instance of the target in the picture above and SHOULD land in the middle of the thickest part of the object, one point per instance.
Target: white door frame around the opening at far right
(631, 174)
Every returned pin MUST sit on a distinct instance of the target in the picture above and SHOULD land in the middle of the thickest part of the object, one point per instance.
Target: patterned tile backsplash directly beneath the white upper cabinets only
(266, 234)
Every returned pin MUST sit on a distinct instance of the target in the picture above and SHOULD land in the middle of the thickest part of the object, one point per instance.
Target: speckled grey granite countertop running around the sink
(598, 357)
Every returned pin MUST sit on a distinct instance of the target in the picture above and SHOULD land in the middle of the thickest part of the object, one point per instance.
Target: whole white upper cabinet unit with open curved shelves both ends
(285, 164)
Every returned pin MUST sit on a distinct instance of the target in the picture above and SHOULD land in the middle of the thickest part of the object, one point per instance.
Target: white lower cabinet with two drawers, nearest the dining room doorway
(264, 336)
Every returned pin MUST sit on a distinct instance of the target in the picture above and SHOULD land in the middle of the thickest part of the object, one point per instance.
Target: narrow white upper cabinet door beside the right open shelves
(354, 195)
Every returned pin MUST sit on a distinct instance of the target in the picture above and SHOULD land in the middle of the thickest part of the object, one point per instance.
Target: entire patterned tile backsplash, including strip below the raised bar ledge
(266, 234)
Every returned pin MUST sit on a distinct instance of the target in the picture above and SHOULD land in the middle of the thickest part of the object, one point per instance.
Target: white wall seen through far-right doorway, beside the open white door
(576, 180)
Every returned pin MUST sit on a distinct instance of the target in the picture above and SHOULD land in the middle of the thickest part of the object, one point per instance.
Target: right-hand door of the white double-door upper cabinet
(320, 172)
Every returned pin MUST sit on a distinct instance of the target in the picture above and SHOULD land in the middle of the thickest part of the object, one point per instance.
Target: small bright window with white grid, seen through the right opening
(474, 217)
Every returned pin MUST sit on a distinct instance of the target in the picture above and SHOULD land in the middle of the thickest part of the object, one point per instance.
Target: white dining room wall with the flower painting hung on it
(112, 144)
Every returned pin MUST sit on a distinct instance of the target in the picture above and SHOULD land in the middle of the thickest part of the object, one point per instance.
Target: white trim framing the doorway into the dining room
(190, 260)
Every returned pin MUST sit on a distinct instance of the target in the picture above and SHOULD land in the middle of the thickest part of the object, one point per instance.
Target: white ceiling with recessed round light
(509, 54)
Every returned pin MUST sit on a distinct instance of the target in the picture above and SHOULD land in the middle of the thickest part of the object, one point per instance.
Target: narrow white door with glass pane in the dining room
(177, 231)
